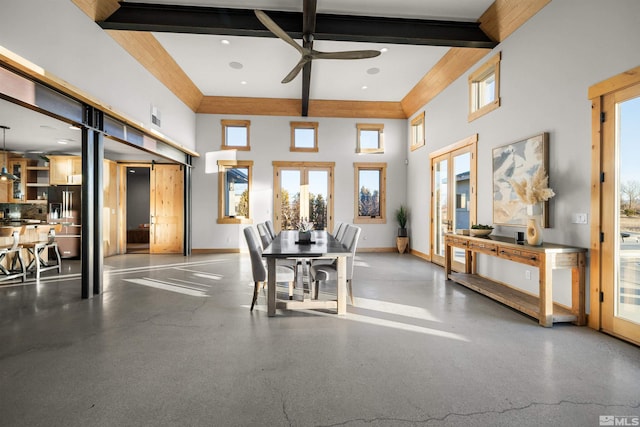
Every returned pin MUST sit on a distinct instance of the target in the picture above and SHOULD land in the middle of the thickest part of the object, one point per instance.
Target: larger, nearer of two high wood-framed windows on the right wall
(484, 88)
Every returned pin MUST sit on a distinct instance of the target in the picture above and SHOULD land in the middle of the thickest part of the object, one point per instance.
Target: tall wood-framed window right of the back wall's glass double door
(371, 182)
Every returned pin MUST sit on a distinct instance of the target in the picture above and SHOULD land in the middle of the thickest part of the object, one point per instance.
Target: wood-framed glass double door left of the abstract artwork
(453, 196)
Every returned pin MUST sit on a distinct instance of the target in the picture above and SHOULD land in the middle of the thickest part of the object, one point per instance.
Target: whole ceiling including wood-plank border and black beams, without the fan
(217, 57)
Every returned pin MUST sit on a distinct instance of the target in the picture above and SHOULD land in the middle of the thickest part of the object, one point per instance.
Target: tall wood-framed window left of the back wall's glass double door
(234, 191)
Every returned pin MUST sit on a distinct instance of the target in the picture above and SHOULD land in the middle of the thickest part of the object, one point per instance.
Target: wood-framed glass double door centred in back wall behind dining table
(303, 190)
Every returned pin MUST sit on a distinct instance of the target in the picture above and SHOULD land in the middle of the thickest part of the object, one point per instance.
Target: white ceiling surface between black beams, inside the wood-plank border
(246, 66)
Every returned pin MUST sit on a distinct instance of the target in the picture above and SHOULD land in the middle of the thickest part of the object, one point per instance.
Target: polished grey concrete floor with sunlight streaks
(414, 351)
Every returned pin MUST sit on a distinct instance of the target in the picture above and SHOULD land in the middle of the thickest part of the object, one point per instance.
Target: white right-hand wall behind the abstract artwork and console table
(546, 69)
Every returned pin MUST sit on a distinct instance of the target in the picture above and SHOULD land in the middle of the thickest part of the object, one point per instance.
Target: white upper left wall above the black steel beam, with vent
(57, 36)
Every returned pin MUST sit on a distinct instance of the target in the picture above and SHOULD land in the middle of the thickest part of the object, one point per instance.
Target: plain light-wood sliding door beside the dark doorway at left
(166, 231)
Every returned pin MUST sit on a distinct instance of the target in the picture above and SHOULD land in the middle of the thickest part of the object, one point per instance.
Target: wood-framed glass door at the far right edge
(620, 216)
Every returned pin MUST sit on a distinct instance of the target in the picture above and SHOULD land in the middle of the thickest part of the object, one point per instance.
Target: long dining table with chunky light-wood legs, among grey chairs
(323, 244)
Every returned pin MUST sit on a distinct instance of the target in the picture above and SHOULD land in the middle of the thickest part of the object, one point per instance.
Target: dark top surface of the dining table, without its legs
(323, 245)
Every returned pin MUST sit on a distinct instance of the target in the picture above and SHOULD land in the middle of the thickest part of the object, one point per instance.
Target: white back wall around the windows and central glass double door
(270, 140)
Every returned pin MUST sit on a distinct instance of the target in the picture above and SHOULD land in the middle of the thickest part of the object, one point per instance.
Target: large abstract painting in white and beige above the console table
(517, 161)
